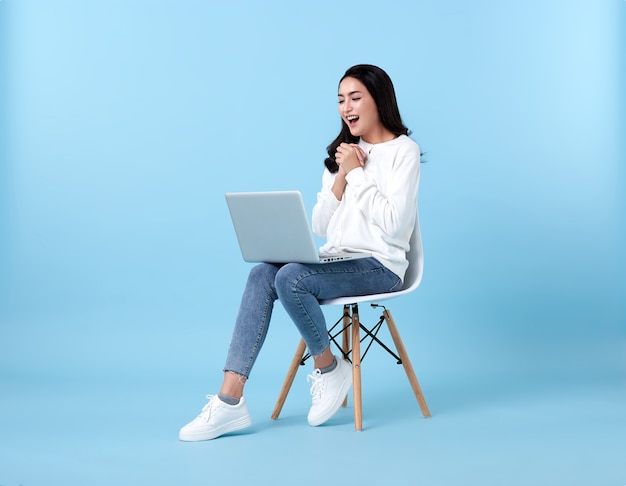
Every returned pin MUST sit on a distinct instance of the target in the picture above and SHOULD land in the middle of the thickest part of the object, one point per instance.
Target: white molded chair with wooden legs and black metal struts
(350, 319)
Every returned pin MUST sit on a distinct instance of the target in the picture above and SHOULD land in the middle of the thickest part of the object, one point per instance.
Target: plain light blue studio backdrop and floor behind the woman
(123, 125)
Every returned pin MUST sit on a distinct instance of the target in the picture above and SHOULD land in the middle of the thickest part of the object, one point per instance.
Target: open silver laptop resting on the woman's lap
(273, 227)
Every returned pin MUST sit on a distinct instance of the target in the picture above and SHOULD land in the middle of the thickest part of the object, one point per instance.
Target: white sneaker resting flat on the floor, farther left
(216, 418)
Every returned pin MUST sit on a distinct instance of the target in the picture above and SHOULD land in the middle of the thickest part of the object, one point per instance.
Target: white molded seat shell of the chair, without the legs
(412, 278)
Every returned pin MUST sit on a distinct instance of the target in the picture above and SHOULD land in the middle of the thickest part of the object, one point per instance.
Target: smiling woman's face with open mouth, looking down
(358, 110)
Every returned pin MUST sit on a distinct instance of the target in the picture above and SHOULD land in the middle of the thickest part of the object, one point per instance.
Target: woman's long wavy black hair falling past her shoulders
(380, 87)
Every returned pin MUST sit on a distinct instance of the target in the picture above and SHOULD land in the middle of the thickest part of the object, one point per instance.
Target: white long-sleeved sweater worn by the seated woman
(379, 205)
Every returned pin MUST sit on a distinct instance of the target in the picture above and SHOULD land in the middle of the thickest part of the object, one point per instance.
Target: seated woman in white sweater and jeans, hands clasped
(368, 202)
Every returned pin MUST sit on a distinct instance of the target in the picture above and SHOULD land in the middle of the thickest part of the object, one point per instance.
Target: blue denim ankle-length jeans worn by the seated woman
(299, 286)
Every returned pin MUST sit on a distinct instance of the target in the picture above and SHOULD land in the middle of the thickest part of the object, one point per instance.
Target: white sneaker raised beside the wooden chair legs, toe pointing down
(328, 391)
